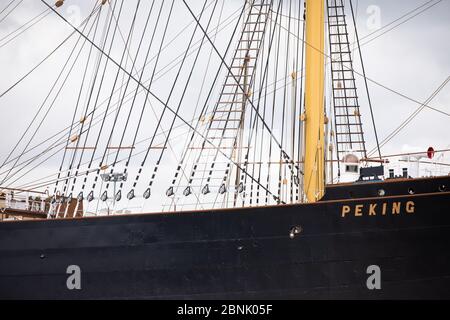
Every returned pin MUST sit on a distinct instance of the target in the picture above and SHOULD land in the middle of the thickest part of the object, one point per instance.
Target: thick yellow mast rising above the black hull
(314, 179)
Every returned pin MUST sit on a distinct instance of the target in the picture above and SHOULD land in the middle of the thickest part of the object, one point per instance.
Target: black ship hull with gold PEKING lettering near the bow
(312, 251)
